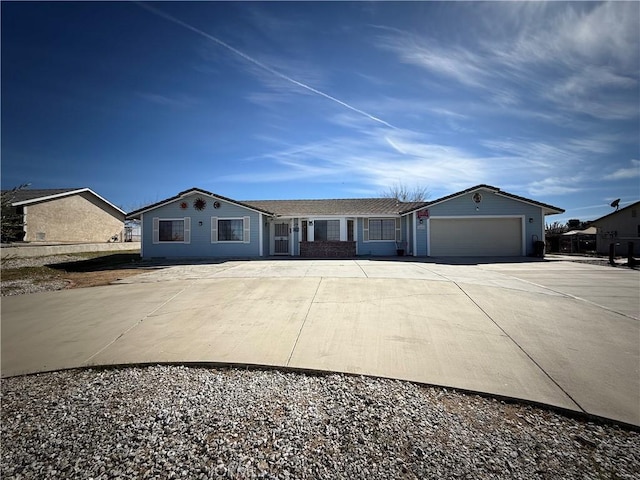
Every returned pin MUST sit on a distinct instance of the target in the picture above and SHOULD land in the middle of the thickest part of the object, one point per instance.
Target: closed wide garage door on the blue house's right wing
(476, 237)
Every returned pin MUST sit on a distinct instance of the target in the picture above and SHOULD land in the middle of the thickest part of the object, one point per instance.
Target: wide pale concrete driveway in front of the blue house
(552, 332)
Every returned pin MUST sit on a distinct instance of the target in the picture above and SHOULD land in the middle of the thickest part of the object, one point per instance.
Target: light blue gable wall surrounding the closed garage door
(491, 205)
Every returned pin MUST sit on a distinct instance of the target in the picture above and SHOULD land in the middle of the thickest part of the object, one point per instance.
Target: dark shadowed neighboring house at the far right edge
(619, 227)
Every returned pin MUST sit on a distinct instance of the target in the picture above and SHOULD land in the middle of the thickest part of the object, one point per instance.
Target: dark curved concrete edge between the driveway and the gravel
(580, 415)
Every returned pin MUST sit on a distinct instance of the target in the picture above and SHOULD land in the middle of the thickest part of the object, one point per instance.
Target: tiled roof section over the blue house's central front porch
(339, 206)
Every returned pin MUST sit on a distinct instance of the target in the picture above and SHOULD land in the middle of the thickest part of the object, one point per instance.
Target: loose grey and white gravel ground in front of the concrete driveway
(197, 423)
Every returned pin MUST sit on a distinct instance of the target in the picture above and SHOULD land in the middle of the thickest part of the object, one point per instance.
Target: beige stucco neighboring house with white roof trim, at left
(68, 216)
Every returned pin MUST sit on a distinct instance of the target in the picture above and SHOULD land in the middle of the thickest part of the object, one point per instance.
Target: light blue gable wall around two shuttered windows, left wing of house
(200, 244)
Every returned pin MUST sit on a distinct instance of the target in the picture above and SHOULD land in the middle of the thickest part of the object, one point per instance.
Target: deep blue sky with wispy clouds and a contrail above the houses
(139, 101)
